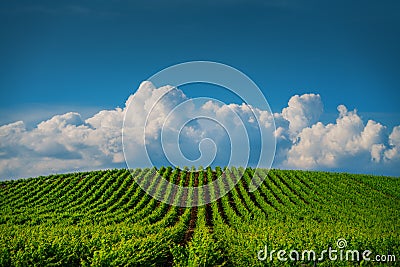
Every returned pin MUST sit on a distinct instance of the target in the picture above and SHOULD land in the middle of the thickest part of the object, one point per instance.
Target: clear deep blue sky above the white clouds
(86, 56)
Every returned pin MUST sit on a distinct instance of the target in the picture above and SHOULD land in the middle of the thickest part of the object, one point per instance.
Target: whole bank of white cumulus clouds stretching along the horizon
(66, 142)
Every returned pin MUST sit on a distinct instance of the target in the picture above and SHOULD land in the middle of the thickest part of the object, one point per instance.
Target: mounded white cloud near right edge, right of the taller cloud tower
(348, 144)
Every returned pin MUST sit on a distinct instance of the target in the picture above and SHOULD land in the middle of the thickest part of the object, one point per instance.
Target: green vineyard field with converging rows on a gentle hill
(103, 218)
